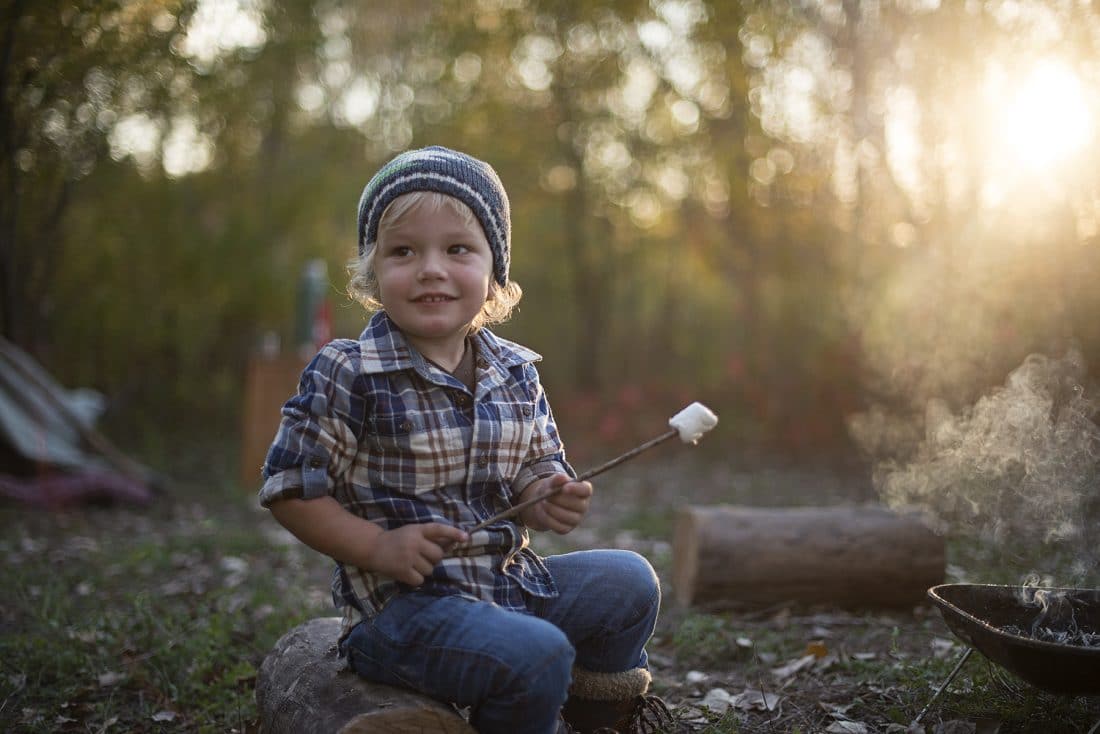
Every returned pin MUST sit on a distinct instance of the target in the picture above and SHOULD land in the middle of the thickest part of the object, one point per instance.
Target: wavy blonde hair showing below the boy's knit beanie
(364, 286)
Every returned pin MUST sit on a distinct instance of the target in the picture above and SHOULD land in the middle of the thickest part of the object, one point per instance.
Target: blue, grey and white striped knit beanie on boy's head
(442, 170)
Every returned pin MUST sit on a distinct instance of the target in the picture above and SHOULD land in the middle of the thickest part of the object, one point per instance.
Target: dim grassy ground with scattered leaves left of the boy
(131, 621)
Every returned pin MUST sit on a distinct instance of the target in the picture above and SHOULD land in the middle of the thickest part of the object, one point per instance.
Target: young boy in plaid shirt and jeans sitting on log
(430, 424)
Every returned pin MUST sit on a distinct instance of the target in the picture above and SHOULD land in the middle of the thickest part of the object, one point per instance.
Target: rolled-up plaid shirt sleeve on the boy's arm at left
(318, 436)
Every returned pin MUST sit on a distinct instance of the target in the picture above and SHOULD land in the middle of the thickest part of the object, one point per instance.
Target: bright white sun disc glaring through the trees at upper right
(1042, 117)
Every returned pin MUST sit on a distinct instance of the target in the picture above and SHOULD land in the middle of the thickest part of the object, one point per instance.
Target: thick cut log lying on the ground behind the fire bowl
(736, 557)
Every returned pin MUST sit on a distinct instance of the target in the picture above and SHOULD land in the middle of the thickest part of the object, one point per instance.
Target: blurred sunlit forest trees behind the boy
(819, 217)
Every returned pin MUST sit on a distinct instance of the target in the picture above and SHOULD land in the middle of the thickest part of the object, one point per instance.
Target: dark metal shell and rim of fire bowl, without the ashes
(976, 612)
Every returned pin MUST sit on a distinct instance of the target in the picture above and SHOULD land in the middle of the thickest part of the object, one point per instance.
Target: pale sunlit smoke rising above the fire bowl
(1020, 466)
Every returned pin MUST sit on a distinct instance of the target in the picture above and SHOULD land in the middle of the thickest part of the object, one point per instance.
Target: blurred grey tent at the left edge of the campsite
(51, 454)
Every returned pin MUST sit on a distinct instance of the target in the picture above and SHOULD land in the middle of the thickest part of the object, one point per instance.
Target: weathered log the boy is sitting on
(305, 688)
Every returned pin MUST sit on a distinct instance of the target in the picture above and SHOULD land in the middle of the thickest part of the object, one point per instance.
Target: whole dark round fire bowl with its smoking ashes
(1015, 627)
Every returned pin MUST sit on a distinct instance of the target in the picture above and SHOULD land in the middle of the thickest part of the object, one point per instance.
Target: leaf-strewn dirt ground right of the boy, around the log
(786, 670)
